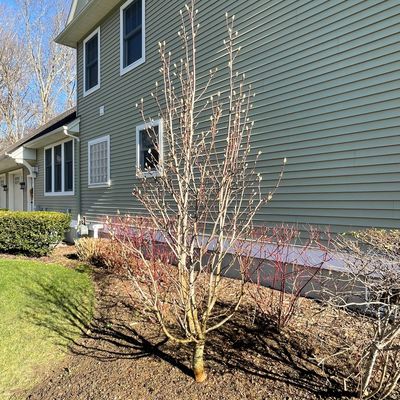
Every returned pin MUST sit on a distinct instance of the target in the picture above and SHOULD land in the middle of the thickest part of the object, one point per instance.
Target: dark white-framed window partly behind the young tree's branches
(149, 149)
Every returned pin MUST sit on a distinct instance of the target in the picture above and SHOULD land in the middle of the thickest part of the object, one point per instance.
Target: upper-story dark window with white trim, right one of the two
(132, 20)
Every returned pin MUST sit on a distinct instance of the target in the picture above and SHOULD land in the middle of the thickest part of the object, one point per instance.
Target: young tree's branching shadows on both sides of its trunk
(238, 345)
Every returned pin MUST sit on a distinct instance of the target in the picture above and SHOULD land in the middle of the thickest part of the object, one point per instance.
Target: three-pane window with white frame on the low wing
(59, 168)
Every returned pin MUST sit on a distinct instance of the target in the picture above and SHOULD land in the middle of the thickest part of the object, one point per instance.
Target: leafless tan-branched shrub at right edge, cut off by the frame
(371, 287)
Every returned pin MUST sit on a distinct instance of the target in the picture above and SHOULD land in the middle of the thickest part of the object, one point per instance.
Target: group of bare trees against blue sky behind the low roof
(37, 76)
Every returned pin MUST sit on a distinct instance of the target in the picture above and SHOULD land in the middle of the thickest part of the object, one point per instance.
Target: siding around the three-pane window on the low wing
(66, 203)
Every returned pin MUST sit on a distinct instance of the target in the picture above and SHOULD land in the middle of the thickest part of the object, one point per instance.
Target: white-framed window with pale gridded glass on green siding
(99, 162)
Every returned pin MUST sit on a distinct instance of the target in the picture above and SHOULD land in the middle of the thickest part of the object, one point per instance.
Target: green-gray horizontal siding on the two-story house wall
(326, 75)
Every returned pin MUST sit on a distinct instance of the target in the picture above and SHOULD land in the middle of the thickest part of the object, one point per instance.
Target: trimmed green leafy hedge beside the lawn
(32, 233)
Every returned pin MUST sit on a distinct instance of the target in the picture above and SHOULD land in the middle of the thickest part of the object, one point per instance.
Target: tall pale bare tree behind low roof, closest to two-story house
(52, 65)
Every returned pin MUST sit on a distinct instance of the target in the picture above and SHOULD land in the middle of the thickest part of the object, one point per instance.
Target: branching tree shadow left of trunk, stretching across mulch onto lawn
(106, 336)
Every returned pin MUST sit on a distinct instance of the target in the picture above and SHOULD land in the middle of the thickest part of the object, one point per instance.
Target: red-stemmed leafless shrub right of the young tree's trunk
(293, 261)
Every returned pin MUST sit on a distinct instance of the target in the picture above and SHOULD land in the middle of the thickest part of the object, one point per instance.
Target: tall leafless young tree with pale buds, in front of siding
(201, 190)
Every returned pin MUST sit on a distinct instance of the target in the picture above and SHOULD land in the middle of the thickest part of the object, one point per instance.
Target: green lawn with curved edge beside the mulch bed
(42, 308)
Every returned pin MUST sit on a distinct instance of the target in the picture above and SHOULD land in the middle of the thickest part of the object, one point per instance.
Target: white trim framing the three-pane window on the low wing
(63, 192)
